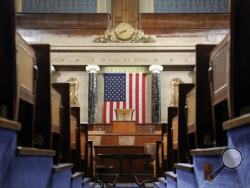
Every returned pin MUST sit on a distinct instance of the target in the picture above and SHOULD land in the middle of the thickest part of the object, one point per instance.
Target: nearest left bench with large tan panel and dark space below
(26, 75)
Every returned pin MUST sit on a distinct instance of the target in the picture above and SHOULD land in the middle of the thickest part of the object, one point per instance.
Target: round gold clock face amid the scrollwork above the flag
(124, 31)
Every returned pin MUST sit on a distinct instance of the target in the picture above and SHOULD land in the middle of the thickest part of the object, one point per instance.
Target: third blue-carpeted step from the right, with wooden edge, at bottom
(185, 174)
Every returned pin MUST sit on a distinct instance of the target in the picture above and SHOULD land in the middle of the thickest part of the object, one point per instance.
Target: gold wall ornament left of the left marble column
(74, 87)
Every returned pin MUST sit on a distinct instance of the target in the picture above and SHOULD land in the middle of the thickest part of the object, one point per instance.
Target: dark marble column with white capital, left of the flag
(93, 92)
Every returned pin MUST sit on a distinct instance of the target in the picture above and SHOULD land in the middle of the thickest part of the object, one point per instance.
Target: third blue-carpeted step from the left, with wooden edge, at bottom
(61, 176)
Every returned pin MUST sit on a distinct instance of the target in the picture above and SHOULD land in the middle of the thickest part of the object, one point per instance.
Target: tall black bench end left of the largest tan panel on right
(203, 119)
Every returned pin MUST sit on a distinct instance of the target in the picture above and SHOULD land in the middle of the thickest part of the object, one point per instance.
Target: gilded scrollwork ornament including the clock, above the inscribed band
(124, 32)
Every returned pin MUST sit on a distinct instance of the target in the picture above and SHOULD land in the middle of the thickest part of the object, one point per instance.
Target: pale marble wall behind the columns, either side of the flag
(82, 77)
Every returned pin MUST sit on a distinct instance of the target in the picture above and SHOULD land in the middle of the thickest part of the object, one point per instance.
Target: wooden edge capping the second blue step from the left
(35, 152)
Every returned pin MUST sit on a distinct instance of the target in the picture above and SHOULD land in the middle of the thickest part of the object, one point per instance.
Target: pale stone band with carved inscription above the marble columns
(166, 58)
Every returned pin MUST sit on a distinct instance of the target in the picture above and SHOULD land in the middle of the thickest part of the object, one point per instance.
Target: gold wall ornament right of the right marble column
(174, 91)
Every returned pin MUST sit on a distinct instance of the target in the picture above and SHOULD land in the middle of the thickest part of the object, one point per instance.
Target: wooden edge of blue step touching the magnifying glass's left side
(207, 151)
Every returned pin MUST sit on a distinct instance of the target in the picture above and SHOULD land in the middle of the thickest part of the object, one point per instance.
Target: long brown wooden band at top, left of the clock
(62, 20)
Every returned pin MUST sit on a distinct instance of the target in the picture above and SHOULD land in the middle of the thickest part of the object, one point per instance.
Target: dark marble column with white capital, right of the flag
(156, 93)
